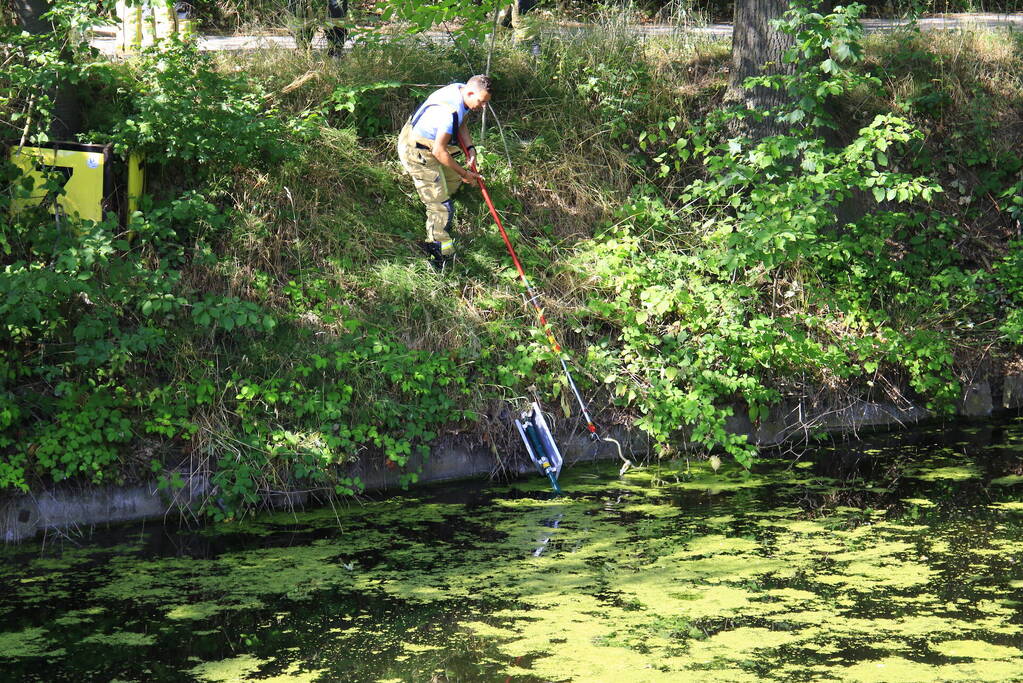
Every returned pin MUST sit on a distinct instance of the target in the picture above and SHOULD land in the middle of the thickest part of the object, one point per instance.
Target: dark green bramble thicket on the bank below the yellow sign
(94, 330)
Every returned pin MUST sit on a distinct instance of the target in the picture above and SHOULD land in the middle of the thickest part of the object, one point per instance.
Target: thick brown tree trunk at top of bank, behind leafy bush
(757, 51)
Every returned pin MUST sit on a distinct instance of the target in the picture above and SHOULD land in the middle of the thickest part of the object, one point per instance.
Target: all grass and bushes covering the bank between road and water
(264, 318)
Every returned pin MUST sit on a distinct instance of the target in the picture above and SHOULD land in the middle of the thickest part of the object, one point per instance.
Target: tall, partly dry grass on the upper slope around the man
(345, 215)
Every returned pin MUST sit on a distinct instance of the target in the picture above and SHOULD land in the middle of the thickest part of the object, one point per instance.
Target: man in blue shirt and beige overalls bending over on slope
(425, 148)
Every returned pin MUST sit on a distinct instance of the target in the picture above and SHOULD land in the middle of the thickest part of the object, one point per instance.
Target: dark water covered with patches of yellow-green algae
(896, 559)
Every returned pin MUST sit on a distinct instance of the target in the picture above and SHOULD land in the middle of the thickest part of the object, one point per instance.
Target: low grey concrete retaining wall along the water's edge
(24, 517)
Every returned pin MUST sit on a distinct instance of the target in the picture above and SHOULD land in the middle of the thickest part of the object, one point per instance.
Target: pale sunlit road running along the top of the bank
(106, 42)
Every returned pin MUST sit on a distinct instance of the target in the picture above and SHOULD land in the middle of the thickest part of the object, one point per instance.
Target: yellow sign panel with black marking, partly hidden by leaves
(84, 171)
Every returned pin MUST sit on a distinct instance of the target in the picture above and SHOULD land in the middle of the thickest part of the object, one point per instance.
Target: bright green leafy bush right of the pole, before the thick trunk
(722, 293)
